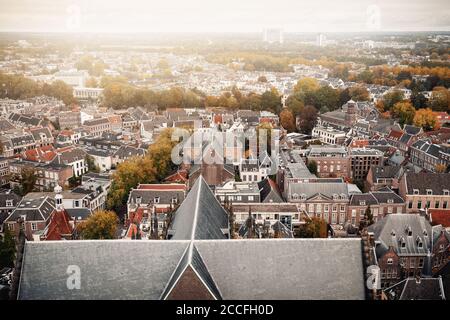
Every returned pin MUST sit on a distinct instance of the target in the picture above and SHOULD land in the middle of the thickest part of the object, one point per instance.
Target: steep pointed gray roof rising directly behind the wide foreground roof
(200, 216)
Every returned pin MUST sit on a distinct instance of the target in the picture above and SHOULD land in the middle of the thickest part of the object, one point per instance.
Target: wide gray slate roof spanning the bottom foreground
(241, 269)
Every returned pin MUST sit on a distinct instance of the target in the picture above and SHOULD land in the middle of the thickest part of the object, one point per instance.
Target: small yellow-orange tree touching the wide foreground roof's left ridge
(100, 225)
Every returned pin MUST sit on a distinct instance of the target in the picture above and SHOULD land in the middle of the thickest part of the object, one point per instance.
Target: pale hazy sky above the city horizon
(223, 16)
